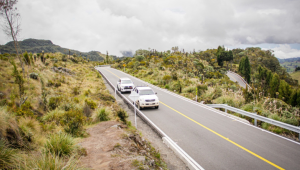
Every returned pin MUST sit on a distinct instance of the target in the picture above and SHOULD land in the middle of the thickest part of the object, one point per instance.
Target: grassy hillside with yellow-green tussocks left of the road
(45, 113)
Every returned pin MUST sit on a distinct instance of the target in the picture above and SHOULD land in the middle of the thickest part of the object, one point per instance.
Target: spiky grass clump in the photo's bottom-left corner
(7, 156)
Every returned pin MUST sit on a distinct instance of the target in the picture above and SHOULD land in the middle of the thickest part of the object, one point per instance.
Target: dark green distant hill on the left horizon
(37, 46)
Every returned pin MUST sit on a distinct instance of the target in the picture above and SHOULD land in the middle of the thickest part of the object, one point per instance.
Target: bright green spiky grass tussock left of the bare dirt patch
(60, 144)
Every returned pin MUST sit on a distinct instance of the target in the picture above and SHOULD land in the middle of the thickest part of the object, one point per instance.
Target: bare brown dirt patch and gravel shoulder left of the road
(109, 147)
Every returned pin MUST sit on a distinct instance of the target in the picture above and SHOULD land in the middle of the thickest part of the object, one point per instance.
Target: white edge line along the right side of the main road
(211, 109)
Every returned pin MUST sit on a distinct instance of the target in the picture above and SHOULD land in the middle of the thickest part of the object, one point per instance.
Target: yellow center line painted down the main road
(247, 150)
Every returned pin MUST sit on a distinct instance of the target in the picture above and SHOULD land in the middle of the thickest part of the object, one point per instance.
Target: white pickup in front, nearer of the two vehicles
(146, 97)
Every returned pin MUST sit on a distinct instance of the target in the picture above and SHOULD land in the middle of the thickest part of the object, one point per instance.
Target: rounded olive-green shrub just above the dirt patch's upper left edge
(73, 121)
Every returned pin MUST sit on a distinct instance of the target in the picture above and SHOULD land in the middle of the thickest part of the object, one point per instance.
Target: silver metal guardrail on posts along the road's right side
(257, 117)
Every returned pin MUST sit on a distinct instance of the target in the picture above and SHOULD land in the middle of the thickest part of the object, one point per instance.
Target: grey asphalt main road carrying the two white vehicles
(214, 140)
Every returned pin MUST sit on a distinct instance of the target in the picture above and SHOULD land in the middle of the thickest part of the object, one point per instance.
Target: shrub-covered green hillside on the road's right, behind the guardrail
(274, 93)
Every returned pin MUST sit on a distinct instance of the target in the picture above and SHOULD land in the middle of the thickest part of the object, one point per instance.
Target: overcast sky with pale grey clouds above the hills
(122, 25)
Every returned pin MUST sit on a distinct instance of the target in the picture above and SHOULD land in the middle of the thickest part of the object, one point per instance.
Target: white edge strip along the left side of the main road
(190, 162)
